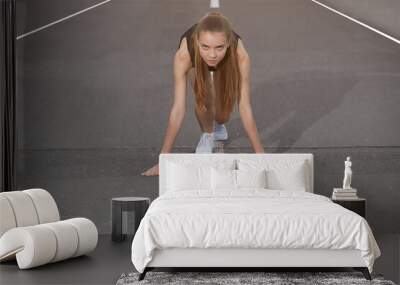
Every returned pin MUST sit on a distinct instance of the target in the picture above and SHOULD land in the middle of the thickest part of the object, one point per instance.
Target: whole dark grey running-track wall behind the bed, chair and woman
(94, 93)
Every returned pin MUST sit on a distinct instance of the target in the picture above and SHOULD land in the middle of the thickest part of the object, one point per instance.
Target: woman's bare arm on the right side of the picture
(245, 111)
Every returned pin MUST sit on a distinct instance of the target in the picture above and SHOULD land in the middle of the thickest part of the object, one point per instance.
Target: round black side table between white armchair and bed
(137, 205)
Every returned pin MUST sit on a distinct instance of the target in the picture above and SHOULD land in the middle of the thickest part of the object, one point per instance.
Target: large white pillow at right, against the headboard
(281, 174)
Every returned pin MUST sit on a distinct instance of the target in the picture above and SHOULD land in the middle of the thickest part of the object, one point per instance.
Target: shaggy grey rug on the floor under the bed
(270, 278)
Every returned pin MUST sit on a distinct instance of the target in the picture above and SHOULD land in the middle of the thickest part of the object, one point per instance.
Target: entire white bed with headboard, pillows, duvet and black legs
(245, 211)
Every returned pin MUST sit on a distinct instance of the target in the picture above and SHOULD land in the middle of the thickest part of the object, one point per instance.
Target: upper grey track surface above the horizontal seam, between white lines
(87, 87)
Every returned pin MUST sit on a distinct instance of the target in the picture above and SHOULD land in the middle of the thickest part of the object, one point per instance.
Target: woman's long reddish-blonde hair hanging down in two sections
(227, 75)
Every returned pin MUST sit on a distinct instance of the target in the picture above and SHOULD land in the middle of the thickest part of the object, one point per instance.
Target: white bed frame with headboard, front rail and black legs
(250, 258)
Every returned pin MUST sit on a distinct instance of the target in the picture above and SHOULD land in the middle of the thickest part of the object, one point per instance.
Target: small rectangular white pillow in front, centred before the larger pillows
(237, 179)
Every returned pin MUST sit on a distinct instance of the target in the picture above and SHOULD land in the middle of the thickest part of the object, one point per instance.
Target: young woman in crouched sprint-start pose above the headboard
(220, 67)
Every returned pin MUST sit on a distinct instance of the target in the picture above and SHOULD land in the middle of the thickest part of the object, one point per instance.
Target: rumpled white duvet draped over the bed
(251, 218)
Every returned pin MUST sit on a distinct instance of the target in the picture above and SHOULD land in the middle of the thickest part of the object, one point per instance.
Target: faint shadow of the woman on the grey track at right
(292, 104)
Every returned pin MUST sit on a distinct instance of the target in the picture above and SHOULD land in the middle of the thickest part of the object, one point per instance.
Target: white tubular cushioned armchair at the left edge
(31, 230)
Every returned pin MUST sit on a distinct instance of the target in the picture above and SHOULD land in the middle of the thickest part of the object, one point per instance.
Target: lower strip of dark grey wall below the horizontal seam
(84, 181)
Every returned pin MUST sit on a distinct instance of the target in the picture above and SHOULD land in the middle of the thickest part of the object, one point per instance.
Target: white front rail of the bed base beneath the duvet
(228, 257)
